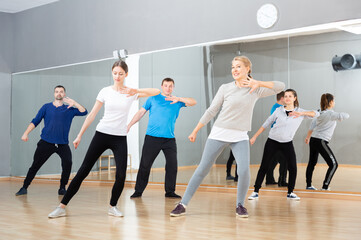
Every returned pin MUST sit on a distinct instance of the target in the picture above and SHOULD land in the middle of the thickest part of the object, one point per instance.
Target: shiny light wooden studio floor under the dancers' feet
(211, 215)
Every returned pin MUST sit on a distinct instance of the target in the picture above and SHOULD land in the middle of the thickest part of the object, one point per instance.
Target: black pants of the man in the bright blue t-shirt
(151, 148)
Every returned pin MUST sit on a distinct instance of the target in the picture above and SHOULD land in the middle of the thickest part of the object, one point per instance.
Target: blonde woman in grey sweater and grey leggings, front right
(235, 101)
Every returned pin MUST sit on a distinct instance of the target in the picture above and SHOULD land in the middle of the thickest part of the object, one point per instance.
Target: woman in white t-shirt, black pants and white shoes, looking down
(110, 133)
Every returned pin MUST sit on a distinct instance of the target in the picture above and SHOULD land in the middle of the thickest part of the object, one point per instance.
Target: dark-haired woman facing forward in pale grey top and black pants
(287, 120)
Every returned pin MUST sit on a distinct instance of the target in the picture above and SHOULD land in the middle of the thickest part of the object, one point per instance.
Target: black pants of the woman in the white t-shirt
(100, 143)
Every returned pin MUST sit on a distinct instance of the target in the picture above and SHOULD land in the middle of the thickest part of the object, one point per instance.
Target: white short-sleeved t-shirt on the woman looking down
(116, 109)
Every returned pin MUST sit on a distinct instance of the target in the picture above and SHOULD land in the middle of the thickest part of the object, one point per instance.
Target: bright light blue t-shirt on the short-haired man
(162, 116)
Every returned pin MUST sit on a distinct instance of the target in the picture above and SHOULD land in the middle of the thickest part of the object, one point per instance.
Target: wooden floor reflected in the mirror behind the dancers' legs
(346, 179)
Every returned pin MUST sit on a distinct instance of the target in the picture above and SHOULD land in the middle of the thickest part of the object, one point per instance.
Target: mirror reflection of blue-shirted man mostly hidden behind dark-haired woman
(278, 157)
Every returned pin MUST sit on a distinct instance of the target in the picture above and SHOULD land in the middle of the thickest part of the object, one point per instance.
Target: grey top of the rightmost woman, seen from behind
(324, 126)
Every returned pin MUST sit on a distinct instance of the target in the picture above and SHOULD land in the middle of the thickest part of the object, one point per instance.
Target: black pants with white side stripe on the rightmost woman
(319, 146)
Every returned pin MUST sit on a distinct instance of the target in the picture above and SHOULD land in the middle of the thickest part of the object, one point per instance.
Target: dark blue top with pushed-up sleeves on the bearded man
(57, 122)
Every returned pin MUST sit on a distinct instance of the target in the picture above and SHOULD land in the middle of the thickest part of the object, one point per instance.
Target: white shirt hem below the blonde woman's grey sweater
(227, 135)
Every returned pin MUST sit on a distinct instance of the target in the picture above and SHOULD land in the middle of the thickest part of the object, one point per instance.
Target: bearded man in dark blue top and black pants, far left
(54, 136)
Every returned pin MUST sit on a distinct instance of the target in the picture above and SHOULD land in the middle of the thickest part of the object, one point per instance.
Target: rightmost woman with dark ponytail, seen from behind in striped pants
(320, 133)
